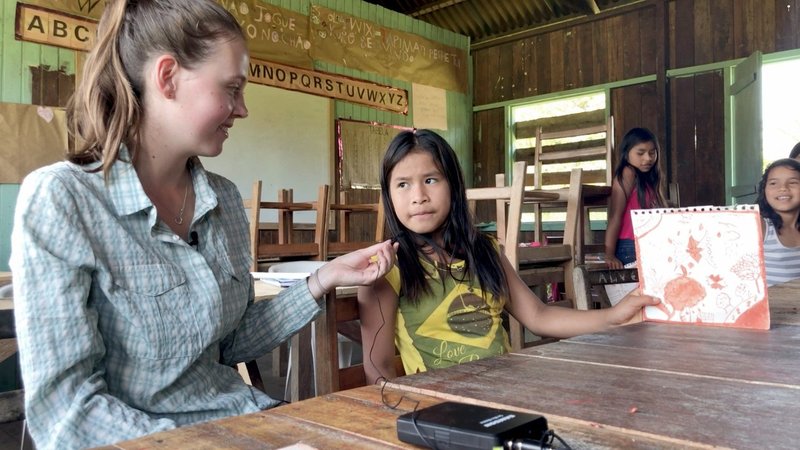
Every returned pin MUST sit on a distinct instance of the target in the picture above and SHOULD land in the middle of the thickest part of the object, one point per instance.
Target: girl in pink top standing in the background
(637, 185)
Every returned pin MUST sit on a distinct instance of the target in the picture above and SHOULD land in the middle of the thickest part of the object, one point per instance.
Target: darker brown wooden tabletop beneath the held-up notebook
(682, 385)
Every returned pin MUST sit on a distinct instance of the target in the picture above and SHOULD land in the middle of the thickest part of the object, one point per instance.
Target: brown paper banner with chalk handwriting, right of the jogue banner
(356, 43)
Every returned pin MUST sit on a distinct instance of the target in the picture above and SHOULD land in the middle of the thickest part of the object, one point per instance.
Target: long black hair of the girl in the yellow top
(461, 239)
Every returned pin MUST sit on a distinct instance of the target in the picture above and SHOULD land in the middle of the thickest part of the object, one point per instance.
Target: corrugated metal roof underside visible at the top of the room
(488, 19)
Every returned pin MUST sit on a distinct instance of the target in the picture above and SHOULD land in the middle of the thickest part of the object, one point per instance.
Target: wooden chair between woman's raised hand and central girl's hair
(346, 213)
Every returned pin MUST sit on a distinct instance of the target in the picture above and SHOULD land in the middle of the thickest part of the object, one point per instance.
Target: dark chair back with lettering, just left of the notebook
(586, 279)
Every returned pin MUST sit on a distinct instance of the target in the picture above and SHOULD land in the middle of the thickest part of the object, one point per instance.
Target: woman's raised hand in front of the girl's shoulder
(359, 268)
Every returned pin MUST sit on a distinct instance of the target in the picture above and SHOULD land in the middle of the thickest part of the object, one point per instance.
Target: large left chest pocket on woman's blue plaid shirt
(153, 315)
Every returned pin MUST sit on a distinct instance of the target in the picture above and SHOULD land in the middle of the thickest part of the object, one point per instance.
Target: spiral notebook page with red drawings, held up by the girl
(706, 264)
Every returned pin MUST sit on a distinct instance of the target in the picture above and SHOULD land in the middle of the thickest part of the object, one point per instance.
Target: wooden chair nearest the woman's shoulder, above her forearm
(286, 247)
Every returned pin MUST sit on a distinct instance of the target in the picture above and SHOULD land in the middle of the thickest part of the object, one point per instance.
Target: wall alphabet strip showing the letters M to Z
(329, 85)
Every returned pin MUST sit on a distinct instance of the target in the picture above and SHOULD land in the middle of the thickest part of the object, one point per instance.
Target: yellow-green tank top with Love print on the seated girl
(449, 326)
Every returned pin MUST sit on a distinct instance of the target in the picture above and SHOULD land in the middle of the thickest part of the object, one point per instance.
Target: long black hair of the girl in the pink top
(645, 181)
